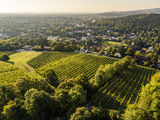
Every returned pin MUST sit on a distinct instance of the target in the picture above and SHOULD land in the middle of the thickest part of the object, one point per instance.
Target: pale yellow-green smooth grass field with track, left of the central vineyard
(20, 61)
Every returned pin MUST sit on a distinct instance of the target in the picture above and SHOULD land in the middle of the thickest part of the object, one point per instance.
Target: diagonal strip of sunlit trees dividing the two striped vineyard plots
(107, 72)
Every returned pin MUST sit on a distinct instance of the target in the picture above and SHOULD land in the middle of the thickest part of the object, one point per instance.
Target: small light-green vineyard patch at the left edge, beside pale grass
(9, 73)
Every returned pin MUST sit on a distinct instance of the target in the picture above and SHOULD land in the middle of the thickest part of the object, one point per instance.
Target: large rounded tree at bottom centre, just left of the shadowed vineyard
(71, 94)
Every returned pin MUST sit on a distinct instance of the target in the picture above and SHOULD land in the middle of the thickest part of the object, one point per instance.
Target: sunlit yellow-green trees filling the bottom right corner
(148, 106)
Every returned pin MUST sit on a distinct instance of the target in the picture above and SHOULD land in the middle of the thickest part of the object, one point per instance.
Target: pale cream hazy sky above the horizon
(74, 6)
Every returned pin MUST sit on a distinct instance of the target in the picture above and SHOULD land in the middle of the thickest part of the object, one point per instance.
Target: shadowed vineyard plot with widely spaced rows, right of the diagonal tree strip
(123, 89)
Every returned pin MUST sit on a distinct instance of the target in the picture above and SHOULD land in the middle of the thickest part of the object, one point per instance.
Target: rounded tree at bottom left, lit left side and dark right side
(39, 104)
